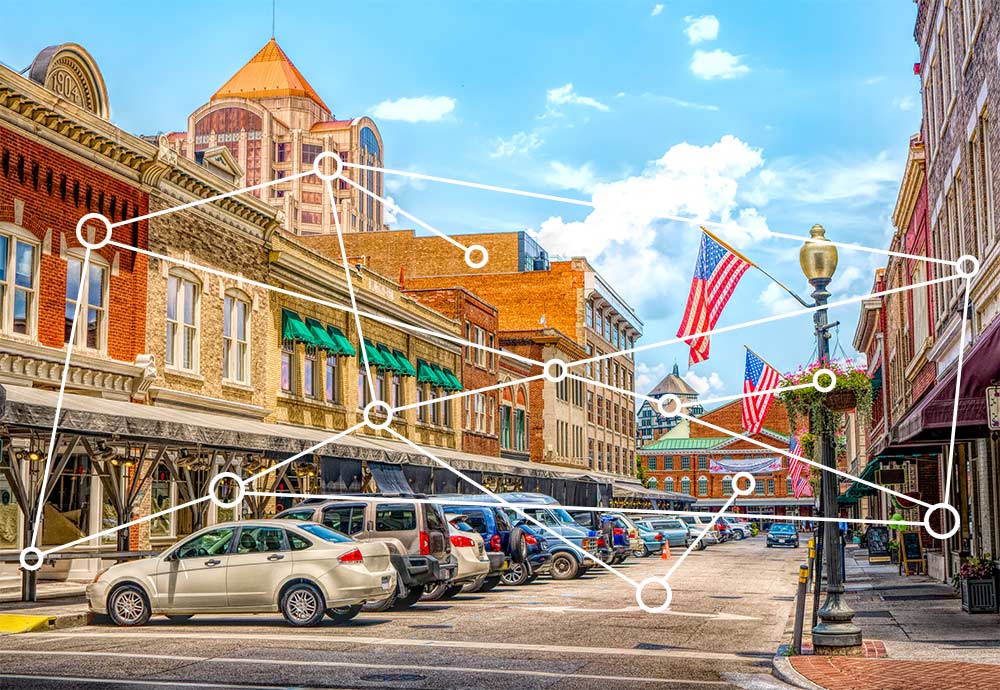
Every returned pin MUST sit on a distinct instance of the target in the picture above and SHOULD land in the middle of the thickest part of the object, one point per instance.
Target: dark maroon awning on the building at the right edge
(981, 367)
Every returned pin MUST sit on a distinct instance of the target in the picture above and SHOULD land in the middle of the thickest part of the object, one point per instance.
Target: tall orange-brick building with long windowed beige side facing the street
(530, 291)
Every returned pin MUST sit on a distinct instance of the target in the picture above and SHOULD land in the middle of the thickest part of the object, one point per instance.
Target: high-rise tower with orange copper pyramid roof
(275, 124)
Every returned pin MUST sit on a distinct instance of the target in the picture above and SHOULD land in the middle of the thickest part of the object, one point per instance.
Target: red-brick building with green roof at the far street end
(697, 460)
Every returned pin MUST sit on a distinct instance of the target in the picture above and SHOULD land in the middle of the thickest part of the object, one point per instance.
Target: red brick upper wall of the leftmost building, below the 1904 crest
(56, 191)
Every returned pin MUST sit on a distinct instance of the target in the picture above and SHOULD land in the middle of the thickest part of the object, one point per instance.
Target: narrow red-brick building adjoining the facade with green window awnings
(480, 369)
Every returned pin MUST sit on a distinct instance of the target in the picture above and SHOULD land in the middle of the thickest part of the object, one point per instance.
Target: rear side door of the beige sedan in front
(260, 561)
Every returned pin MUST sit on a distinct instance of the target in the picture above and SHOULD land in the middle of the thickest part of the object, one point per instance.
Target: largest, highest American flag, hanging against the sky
(716, 274)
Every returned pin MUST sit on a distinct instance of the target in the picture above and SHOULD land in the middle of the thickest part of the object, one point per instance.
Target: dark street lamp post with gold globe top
(836, 632)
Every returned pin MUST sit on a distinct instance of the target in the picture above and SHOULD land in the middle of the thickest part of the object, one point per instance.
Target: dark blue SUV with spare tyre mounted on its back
(509, 548)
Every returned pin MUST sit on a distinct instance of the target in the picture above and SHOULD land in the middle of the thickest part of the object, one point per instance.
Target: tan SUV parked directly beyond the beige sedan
(416, 533)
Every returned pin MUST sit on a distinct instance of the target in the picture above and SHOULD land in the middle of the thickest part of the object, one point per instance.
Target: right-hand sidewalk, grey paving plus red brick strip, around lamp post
(917, 637)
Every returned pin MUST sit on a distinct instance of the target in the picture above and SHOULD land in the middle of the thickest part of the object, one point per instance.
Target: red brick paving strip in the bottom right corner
(850, 673)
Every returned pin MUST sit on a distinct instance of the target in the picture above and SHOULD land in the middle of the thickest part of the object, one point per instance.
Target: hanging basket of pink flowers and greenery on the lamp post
(810, 403)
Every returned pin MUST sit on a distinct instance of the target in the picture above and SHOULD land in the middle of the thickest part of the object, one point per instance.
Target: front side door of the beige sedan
(193, 576)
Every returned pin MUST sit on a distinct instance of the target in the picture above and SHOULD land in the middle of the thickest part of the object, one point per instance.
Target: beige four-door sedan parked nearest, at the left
(304, 570)
